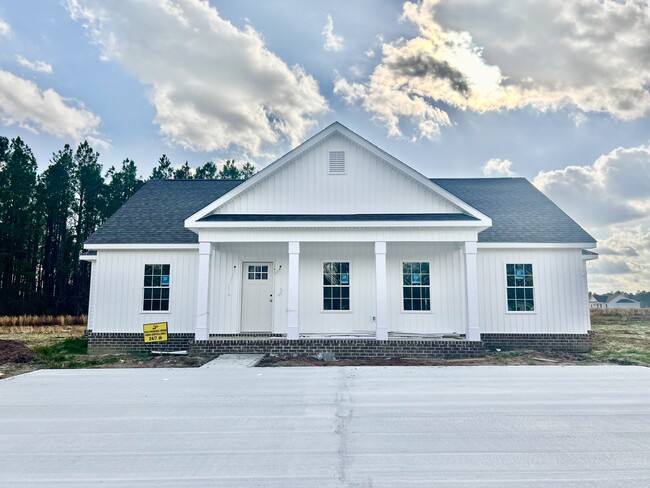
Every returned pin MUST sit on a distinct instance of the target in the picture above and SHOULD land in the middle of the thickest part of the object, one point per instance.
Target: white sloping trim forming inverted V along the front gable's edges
(339, 129)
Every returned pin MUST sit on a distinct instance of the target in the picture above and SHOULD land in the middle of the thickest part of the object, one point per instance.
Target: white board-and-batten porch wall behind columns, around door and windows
(447, 287)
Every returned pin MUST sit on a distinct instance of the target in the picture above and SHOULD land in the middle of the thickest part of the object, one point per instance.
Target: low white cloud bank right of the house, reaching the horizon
(611, 198)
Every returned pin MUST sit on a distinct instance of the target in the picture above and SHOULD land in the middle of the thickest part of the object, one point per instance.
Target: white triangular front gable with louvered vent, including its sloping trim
(337, 173)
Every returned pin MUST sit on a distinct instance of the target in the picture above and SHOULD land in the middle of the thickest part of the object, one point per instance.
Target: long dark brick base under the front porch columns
(342, 348)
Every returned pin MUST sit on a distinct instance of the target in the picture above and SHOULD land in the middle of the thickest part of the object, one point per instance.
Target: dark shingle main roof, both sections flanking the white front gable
(519, 212)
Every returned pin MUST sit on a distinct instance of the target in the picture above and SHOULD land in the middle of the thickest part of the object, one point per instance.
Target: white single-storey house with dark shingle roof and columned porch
(338, 240)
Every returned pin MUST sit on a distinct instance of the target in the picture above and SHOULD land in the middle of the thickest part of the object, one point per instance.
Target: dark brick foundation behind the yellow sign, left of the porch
(102, 342)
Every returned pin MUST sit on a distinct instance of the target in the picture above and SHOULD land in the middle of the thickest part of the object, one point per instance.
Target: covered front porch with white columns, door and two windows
(331, 291)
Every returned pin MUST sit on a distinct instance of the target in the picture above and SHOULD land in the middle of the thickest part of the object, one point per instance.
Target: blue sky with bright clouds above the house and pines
(554, 91)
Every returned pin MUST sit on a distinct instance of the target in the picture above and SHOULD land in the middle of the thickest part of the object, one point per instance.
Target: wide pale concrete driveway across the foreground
(520, 426)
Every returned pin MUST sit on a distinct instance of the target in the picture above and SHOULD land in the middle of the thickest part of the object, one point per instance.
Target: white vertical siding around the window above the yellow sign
(120, 280)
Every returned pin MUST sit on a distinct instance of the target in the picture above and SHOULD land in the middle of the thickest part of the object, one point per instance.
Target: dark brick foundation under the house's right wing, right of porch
(540, 342)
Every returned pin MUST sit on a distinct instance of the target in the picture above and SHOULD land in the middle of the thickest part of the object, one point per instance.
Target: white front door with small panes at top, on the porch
(257, 297)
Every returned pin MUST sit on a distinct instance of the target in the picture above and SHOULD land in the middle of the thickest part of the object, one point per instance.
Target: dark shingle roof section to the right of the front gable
(519, 211)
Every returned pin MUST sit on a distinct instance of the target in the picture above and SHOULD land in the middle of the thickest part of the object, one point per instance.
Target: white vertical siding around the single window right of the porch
(560, 292)
